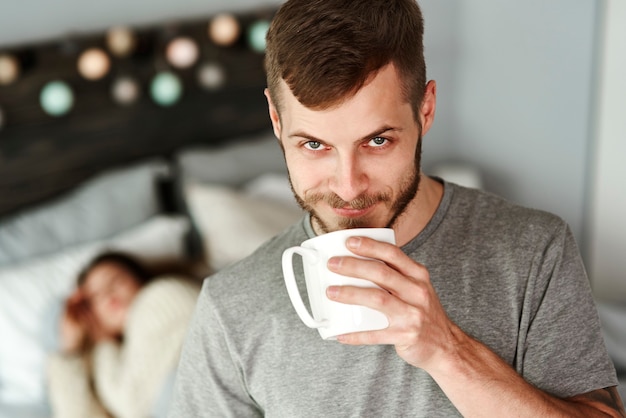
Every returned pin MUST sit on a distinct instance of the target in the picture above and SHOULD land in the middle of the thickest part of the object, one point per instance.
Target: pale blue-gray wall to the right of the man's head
(515, 85)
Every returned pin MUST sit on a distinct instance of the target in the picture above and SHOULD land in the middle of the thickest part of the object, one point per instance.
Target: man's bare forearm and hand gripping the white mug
(475, 379)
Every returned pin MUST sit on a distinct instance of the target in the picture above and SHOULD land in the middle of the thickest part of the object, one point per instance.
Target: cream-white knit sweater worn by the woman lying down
(127, 377)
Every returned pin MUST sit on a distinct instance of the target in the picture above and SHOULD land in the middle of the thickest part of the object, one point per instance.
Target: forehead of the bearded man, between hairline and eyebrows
(380, 102)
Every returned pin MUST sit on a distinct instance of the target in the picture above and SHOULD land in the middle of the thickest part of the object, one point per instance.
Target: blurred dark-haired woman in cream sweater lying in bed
(121, 335)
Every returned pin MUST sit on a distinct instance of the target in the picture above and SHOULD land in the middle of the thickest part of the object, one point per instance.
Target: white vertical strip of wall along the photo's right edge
(607, 221)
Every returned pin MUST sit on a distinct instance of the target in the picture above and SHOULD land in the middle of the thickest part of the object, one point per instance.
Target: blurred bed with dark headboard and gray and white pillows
(197, 184)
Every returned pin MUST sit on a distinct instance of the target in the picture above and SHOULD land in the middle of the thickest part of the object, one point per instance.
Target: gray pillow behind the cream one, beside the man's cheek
(233, 165)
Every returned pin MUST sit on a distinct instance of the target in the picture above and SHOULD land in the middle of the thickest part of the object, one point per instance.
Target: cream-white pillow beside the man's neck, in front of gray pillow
(232, 223)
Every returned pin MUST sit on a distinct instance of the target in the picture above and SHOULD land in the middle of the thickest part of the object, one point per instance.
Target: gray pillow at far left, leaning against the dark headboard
(99, 208)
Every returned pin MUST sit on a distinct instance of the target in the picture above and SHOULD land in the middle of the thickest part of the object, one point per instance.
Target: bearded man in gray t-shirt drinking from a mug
(489, 307)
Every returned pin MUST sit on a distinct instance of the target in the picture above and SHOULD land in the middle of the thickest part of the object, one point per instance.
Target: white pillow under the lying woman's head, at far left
(32, 295)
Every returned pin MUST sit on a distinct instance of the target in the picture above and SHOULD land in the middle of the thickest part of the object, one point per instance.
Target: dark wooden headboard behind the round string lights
(42, 155)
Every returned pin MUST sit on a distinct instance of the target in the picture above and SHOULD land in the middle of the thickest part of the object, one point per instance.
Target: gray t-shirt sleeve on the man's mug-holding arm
(563, 353)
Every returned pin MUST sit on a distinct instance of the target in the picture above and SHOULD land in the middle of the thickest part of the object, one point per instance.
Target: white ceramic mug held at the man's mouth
(329, 317)
